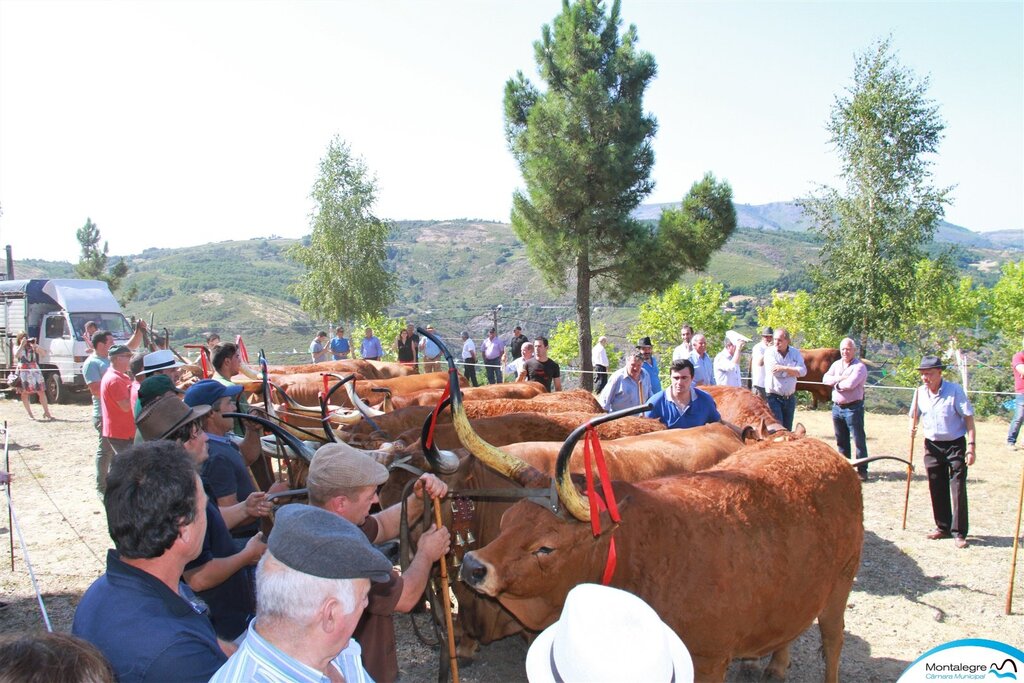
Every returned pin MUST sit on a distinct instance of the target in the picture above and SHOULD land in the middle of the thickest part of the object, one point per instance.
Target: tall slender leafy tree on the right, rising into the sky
(873, 230)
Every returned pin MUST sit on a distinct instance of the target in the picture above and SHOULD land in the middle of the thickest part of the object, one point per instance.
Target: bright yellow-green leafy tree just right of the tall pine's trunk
(662, 315)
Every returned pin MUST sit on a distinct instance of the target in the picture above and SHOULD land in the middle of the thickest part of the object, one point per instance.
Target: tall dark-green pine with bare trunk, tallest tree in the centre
(584, 149)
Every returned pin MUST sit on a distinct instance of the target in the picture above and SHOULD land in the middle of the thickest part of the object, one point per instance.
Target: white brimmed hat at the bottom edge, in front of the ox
(608, 634)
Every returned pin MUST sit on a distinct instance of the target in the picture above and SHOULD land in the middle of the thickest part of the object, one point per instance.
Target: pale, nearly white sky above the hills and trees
(181, 123)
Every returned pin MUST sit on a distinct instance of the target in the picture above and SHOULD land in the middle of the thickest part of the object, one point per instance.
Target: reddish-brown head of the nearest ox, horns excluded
(536, 561)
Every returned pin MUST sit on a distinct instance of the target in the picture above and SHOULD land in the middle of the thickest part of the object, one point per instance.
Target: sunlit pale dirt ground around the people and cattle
(911, 595)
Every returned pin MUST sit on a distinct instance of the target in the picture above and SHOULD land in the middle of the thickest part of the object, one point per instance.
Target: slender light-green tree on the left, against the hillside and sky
(347, 257)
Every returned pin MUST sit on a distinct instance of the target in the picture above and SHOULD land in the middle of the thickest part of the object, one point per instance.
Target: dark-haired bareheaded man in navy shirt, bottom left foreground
(149, 624)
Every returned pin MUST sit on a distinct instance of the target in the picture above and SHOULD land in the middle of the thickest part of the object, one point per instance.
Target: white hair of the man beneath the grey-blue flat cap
(284, 593)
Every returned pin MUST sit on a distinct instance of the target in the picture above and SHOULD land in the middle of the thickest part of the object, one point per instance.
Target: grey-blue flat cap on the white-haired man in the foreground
(322, 544)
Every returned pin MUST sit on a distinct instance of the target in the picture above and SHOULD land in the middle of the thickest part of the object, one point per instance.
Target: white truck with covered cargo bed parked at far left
(55, 312)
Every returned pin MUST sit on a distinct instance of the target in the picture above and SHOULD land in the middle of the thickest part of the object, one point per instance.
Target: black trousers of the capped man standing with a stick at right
(948, 484)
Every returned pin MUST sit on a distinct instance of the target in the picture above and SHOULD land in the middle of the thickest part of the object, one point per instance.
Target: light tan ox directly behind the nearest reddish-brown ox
(483, 620)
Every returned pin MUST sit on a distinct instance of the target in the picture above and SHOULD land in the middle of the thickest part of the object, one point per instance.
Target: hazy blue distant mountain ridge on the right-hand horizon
(788, 217)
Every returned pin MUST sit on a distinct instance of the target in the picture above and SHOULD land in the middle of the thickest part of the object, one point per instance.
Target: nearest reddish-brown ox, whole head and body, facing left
(739, 560)
